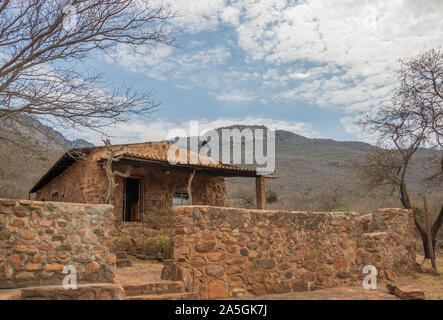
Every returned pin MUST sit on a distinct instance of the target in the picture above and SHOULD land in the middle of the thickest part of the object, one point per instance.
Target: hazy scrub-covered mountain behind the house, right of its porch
(321, 175)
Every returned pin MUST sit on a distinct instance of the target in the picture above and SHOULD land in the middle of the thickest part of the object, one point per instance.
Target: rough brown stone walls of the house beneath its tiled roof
(85, 182)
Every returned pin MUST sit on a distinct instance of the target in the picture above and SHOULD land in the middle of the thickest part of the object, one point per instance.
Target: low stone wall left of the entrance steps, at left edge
(37, 239)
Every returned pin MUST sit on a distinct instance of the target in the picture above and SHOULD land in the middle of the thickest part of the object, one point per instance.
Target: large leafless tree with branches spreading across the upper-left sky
(41, 43)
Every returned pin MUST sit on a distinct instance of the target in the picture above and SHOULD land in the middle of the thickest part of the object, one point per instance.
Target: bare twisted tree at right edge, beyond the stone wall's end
(412, 120)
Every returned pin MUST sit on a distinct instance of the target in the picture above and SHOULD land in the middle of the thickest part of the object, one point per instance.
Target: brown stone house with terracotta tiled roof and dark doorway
(153, 188)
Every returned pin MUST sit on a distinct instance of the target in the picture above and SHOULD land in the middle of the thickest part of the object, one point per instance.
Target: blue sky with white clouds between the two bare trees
(309, 66)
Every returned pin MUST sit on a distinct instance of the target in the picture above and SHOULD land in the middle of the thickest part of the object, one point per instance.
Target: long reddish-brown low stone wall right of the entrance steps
(226, 252)
